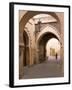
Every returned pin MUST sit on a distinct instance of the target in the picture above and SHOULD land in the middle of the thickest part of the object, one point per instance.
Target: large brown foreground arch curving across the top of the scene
(29, 14)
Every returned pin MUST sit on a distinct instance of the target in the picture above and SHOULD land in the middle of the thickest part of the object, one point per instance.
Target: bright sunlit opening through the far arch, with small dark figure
(53, 50)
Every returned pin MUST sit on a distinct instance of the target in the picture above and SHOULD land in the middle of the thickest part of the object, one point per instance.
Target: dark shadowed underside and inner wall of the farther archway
(42, 45)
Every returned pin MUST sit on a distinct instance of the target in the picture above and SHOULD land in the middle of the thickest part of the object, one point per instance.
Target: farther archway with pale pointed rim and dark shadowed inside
(44, 36)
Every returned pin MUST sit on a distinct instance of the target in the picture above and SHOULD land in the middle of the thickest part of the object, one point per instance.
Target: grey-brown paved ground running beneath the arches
(47, 69)
